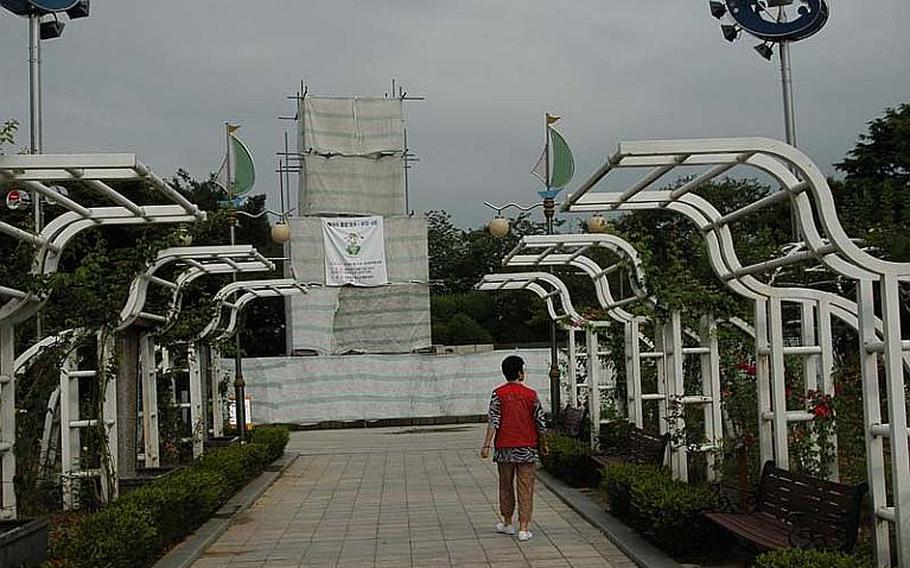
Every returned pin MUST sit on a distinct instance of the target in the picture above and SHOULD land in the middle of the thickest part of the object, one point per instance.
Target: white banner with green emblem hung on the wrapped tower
(354, 251)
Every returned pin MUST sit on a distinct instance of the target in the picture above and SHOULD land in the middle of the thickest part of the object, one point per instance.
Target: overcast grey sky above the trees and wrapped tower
(159, 78)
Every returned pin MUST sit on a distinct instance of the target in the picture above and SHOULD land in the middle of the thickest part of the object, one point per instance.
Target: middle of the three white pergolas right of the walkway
(668, 350)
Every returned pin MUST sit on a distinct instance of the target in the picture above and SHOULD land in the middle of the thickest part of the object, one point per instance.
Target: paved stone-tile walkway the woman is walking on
(400, 498)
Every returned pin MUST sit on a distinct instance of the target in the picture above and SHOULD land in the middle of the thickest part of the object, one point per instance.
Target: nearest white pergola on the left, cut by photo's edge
(42, 175)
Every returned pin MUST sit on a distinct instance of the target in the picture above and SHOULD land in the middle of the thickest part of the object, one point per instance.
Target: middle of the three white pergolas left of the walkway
(192, 263)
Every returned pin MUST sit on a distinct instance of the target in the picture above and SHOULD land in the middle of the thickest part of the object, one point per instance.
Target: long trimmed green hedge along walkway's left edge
(132, 531)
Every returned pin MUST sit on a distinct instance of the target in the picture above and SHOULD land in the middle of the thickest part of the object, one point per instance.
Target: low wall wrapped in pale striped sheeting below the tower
(306, 390)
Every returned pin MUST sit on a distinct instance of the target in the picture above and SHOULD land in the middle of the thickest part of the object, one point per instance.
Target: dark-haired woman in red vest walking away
(516, 427)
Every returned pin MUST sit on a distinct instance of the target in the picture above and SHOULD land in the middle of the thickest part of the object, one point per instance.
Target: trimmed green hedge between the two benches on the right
(667, 512)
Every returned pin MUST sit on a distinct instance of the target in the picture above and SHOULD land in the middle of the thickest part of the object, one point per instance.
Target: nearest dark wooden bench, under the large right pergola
(792, 509)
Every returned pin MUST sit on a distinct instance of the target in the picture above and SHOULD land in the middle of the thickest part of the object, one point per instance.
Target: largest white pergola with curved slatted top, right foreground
(824, 240)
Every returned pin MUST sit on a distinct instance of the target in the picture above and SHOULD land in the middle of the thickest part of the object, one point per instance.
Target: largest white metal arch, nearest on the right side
(824, 239)
